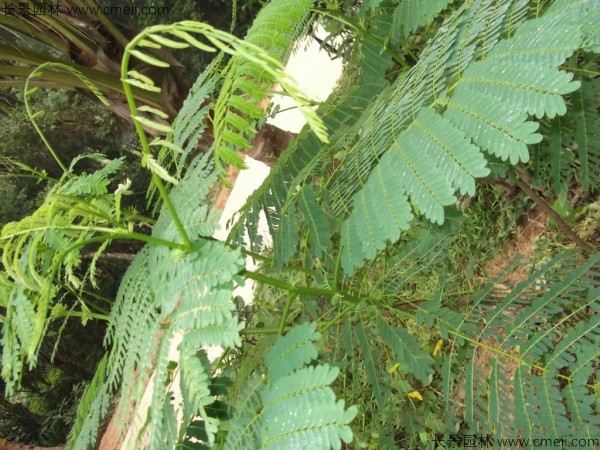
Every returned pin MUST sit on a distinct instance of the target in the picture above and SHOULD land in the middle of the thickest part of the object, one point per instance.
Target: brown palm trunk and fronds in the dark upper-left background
(93, 44)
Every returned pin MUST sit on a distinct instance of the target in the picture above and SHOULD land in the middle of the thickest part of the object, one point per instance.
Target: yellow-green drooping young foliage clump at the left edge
(43, 250)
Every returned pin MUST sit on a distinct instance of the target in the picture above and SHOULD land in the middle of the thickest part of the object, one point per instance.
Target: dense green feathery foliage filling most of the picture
(359, 296)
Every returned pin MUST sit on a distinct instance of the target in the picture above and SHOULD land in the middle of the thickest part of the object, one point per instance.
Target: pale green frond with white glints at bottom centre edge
(294, 407)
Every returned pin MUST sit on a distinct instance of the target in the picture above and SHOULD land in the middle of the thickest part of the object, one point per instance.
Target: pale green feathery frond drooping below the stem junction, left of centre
(187, 294)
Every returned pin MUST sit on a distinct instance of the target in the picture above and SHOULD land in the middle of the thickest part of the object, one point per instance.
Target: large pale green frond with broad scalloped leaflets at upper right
(429, 153)
